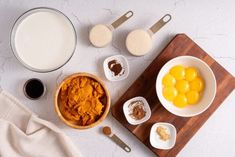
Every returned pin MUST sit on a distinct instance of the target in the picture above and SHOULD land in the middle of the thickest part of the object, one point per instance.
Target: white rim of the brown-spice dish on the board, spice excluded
(131, 120)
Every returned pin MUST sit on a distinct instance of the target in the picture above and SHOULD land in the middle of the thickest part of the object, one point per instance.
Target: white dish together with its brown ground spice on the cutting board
(137, 110)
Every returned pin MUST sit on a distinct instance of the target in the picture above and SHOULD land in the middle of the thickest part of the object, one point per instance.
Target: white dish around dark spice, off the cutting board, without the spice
(106, 70)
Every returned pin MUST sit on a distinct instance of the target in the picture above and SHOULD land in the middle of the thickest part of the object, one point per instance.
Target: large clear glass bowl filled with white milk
(43, 39)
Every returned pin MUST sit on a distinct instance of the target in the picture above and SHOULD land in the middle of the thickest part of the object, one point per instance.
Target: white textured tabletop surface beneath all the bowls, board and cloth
(210, 23)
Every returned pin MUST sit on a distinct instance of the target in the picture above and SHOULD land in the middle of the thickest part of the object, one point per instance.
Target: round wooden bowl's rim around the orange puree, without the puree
(107, 106)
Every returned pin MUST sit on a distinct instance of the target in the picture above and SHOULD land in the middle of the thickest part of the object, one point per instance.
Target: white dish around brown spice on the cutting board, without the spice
(127, 110)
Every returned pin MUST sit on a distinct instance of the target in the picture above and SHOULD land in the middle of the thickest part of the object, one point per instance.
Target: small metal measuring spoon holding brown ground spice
(108, 132)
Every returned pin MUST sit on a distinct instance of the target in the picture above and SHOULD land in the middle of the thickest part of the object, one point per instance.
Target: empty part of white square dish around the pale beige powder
(155, 139)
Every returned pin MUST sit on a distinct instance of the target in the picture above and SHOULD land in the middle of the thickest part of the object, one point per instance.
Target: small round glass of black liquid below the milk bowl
(34, 89)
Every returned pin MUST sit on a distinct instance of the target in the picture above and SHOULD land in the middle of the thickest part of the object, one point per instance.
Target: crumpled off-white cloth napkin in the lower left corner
(24, 134)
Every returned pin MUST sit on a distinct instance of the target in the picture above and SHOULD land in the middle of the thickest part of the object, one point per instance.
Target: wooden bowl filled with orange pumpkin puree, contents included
(82, 101)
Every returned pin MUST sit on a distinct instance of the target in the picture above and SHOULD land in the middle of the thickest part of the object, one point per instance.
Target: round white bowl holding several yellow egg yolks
(186, 86)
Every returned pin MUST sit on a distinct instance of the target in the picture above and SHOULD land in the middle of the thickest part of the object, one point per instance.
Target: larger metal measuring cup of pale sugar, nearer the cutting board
(139, 41)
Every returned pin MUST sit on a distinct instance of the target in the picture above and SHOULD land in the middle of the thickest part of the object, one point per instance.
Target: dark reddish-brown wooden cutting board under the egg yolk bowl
(145, 86)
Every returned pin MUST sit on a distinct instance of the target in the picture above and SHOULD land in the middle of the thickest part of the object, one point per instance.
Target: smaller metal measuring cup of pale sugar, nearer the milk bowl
(101, 35)
